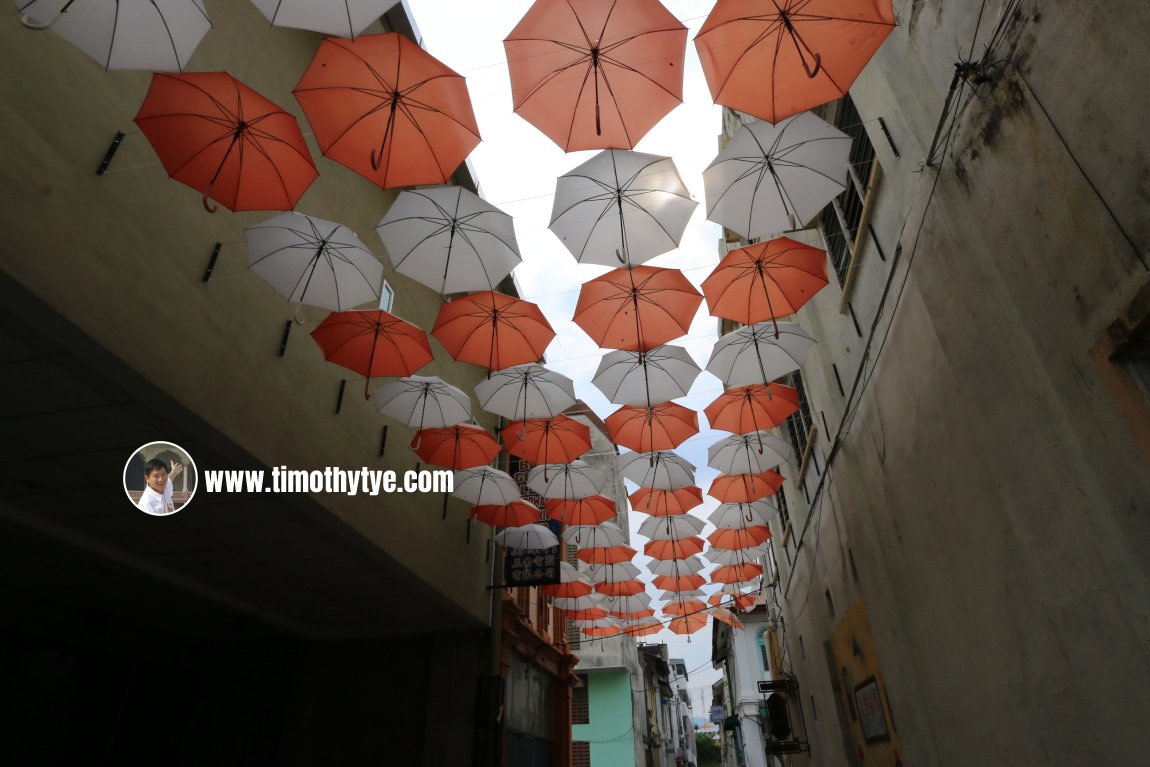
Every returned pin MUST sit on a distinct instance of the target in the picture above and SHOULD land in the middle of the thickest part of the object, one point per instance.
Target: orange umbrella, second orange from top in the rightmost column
(765, 281)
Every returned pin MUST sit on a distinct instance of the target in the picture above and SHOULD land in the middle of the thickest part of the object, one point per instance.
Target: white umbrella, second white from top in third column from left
(663, 374)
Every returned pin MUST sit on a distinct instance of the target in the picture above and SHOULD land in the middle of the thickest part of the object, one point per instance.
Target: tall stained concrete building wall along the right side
(987, 496)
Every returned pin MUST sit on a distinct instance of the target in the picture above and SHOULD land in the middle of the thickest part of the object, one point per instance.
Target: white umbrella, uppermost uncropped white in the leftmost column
(315, 262)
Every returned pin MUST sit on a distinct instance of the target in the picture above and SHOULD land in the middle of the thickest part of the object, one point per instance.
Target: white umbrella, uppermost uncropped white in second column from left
(449, 240)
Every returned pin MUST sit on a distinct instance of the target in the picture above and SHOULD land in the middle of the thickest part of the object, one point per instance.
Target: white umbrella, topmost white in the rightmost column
(771, 179)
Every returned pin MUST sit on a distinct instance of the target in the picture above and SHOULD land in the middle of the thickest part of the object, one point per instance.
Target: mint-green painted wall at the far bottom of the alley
(611, 731)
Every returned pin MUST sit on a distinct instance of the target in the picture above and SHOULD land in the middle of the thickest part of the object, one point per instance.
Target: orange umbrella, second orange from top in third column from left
(638, 309)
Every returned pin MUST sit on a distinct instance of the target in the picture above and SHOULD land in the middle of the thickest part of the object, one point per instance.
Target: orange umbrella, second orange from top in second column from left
(493, 331)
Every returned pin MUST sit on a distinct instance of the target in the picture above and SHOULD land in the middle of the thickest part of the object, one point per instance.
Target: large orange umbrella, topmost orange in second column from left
(388, 110)
